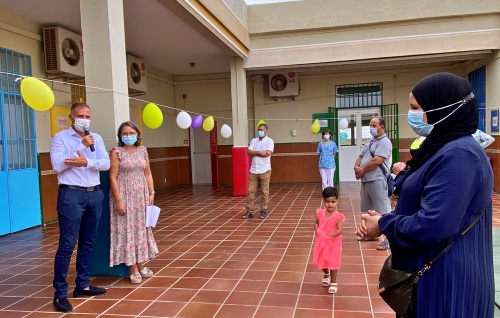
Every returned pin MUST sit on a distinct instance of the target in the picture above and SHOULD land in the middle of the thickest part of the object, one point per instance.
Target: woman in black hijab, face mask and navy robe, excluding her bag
(448, 185)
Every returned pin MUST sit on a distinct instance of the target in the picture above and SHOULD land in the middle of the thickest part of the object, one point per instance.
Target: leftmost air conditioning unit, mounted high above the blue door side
(63, 53)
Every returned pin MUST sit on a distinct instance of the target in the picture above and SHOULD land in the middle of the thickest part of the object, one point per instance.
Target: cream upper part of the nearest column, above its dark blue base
(103, 35)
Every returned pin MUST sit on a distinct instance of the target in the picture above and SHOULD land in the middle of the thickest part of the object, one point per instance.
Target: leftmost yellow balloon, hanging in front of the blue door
(36, 94)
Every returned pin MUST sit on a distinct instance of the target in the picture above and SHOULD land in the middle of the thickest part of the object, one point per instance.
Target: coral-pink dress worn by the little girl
(327, 250)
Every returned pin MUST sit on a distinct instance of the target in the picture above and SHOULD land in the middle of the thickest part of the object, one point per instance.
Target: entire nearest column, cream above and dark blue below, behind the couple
(103, 35)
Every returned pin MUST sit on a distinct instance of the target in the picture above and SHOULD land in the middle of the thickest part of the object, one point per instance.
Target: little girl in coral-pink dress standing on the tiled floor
(328, 244)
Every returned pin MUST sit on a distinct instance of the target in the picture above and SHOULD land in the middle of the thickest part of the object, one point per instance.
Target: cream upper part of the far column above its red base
(239, 102)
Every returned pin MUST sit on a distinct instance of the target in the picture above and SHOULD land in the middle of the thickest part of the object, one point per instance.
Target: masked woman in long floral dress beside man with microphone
(132, 190)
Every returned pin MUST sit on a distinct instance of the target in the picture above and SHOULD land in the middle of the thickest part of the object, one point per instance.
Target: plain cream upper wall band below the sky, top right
(321, 14)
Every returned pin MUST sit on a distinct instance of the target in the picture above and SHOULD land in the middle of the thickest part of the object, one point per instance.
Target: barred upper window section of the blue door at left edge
(17, 122)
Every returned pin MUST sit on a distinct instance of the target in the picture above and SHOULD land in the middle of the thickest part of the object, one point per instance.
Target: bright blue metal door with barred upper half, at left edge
(19, 179)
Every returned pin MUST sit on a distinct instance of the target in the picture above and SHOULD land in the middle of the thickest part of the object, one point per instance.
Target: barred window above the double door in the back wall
(358, 95)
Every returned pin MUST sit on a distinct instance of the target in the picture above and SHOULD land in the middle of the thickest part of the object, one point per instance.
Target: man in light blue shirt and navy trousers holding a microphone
(77, 156)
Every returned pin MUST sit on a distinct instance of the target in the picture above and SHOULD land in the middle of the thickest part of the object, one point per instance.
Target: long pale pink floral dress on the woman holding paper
(131, 241)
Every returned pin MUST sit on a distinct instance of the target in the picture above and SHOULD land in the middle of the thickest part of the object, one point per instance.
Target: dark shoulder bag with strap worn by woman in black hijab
(397, 287)
